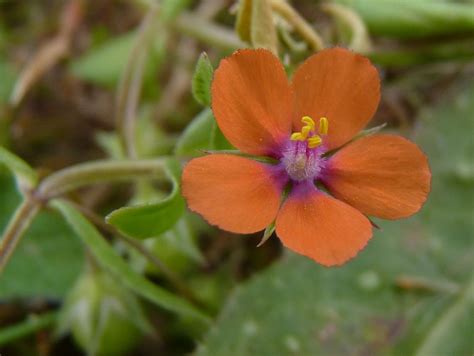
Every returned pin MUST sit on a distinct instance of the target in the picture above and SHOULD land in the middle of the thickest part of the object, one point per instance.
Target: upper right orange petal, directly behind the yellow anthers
(340, 85)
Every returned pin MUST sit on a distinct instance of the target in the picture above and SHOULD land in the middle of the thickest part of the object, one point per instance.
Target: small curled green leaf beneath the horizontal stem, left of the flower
(150, 220)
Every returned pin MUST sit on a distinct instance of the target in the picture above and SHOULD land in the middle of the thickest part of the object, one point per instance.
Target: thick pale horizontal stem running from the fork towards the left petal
(82, 174)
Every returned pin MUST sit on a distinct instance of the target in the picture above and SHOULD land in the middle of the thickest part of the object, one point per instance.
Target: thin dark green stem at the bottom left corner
(32, 324)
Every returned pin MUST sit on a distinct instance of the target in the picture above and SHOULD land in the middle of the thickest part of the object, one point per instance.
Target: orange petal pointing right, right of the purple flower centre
(383, 175)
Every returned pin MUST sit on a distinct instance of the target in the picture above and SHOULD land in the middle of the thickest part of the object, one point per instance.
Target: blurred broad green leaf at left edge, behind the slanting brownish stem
(47, 259)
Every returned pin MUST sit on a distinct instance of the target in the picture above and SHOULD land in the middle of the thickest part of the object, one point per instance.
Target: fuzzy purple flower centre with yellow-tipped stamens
(302, 157)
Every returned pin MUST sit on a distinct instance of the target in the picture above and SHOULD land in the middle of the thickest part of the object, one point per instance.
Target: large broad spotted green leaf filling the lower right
(307, 309)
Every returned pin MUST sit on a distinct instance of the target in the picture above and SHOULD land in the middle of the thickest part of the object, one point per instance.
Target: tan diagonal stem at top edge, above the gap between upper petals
(299, 23)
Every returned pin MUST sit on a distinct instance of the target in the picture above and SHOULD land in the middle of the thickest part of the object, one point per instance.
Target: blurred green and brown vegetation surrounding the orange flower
(107, 99)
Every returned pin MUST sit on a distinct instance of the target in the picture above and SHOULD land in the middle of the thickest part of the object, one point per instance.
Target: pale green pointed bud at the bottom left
(105, 318)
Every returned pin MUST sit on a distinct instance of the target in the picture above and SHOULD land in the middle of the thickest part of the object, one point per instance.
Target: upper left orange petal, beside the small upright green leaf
(252, 101)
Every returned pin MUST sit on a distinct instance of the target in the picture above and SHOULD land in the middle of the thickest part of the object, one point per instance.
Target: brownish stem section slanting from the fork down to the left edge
(18, 224)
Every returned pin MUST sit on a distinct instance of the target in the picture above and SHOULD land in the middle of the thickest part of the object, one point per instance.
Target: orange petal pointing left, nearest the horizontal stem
(234, 193)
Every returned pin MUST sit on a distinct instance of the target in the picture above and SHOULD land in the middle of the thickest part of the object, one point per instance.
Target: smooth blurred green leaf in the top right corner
(413, 18)
